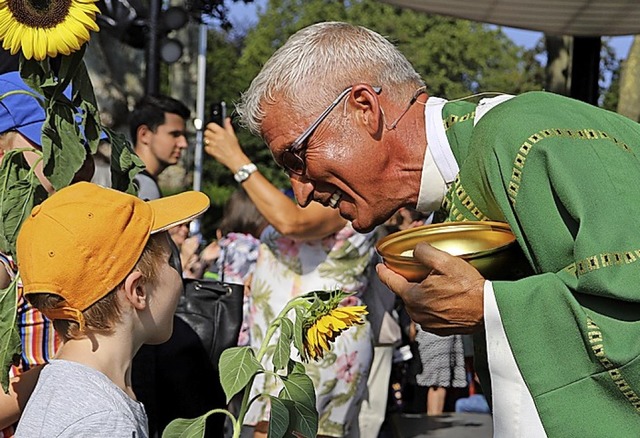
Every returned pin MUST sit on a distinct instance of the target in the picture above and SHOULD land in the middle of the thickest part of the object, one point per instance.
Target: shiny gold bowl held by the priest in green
(490, 247)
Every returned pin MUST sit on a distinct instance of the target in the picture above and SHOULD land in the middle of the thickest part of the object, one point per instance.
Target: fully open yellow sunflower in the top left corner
(46, 27)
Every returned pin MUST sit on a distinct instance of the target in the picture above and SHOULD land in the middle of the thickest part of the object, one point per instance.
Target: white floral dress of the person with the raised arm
(287, 268)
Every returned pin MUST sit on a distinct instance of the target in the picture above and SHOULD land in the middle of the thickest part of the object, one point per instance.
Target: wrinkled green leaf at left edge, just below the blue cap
(20, 191)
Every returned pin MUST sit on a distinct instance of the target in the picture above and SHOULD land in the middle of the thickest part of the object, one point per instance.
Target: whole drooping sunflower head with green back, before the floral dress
(325, 321)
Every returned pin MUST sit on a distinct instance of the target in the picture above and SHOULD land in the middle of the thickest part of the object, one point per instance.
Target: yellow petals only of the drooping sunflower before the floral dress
(319, 334)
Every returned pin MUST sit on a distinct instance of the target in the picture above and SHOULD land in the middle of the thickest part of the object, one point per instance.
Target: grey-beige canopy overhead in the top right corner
(558, 17)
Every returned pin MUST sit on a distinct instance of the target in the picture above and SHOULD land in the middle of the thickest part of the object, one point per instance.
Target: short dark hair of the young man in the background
(150, 111)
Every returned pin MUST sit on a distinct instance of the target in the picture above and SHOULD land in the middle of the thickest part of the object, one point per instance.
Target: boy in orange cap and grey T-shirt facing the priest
(100, 264)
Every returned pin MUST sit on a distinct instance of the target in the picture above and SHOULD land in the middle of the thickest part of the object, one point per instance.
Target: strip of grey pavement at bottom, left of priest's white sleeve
(449, 425)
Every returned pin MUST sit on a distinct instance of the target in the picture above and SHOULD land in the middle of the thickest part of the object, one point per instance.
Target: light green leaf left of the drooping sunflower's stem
(237, 366)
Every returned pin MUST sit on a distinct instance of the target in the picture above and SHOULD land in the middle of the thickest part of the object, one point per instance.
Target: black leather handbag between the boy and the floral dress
(213, 310)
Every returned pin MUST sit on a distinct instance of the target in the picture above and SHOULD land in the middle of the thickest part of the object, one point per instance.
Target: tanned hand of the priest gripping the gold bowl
(449, 301)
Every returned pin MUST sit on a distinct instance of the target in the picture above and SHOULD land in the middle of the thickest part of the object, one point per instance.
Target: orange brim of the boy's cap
(177, 209)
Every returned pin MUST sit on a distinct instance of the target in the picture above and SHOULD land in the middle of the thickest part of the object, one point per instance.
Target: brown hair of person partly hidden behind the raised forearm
(241, 216)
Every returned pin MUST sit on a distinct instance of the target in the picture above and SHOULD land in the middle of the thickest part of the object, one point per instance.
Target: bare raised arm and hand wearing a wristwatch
(310, 223)
